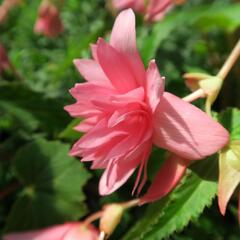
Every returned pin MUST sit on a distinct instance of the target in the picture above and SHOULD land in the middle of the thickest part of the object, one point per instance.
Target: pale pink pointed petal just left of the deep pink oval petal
(91, 71)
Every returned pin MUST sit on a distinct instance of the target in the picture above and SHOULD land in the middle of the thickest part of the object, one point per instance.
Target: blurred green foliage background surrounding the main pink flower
(35, 190)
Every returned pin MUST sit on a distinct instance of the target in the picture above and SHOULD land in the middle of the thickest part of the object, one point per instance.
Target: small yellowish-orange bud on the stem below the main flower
(111, 217)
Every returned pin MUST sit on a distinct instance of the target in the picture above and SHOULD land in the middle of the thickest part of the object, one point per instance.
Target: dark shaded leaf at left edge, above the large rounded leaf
(32, 110)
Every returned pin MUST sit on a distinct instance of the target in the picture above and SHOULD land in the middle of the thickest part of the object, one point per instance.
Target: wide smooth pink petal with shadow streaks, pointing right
(185, 130)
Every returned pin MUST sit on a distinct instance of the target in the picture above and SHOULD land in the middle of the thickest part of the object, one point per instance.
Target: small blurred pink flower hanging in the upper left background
(49, 22)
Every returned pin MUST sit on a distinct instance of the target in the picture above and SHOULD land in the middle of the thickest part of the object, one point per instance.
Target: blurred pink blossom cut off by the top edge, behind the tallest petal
(154, 10)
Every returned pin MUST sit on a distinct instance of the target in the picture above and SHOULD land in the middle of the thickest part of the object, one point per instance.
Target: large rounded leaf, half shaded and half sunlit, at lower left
(52, 183)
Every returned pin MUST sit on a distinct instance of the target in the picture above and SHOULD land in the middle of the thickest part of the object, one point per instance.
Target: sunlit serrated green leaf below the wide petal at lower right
(184, 204)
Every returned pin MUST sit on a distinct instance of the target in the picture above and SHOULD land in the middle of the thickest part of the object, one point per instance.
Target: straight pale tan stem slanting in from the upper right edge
(230, 61)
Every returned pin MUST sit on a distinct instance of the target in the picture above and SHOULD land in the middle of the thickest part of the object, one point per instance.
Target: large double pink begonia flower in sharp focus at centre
(126, 111)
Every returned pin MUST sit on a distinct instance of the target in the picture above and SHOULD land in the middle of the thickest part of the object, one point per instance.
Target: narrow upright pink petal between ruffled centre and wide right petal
(154, 85)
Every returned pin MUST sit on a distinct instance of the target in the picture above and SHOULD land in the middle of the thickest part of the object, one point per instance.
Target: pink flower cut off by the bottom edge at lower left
(67, 231)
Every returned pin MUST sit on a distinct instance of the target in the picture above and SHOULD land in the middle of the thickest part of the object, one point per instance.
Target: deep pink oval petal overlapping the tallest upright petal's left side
(115, 67)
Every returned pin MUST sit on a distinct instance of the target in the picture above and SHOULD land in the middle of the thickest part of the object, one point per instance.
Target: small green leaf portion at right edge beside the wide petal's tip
(230, 119)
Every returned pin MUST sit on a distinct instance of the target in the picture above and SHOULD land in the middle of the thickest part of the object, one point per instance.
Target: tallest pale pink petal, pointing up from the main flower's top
(123, 38)
